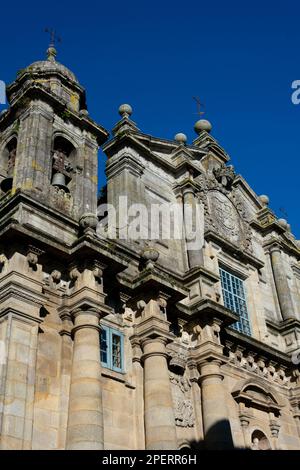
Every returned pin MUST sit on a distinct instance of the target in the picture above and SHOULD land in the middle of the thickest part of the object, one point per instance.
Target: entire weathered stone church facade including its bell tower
(115, 338)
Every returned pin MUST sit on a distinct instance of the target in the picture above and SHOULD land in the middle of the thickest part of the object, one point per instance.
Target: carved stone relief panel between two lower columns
(183, 407)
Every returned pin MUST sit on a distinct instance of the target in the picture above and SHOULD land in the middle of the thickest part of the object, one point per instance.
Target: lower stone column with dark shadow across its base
(217, 432)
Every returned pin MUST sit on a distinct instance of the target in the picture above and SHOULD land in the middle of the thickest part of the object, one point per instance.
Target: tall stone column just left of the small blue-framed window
(85, 424)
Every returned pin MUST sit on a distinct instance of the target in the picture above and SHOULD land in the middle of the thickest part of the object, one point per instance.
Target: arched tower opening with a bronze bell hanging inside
(63, 156)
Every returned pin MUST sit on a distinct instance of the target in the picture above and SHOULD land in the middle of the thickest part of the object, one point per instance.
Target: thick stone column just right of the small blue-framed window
(160, 429)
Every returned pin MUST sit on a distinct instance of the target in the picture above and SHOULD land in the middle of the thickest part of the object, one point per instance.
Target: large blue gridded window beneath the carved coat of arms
(235, 299)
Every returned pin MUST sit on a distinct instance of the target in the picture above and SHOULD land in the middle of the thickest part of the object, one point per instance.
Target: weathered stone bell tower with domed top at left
(48, 143)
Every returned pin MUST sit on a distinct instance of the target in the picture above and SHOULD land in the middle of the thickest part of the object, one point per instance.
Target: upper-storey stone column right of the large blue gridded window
(282, 287)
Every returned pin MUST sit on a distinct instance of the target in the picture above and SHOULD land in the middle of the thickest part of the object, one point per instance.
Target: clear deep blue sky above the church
(239, 57)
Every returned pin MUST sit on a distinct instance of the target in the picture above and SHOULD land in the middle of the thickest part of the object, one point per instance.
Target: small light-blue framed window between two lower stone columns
(112, 349)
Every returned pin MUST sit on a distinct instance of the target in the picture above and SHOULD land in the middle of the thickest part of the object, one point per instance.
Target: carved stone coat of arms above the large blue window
(224, 210)
